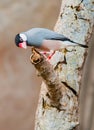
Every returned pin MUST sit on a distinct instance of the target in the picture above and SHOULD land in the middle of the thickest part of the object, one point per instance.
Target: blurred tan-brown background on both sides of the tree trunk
(19, 85)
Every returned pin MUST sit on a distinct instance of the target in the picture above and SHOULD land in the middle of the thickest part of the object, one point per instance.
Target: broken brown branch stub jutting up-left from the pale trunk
(54, 86)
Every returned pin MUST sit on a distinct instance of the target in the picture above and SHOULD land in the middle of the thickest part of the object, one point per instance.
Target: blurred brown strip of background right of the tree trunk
(87, 91)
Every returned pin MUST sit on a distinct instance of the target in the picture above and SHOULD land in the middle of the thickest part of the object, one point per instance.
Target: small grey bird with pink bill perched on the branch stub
(46, 40)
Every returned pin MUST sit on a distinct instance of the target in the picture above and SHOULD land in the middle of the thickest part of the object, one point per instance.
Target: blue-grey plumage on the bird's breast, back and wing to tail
(36, 36)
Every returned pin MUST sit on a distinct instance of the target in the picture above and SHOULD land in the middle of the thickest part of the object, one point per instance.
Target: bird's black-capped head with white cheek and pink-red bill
(21, 40)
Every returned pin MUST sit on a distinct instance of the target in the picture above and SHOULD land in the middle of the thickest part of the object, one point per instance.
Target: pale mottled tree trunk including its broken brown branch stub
(58, 107)
